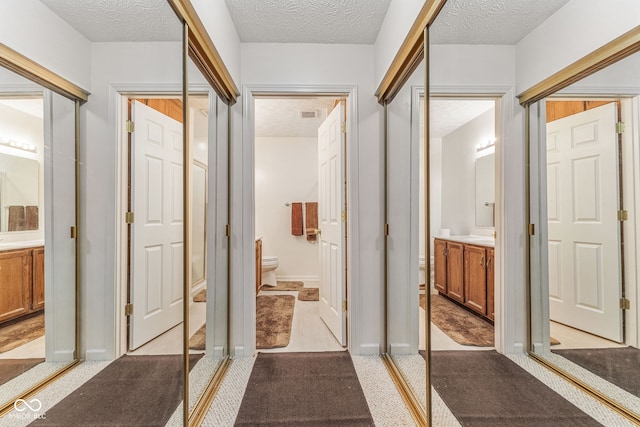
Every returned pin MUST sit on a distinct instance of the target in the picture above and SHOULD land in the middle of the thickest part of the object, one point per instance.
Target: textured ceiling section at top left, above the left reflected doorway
(119, 20)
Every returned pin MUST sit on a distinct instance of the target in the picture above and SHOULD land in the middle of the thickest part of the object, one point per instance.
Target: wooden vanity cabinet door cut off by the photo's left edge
(15, 283)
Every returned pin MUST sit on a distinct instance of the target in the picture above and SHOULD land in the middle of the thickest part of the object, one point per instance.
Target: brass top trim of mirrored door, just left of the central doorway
(204, 53)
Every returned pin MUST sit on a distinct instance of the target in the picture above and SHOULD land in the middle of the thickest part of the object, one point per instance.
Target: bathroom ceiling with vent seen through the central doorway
(280, 117)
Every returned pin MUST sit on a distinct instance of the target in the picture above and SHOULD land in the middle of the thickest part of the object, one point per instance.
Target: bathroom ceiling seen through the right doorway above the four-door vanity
(447, 115)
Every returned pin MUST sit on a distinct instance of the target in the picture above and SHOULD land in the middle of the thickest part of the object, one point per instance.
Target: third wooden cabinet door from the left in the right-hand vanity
(475, 278)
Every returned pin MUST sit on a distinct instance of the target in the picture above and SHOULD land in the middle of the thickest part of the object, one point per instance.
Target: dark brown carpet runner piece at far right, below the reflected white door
(619, 366)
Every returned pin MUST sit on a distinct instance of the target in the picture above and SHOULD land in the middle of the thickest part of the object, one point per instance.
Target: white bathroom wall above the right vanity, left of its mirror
(458, 172)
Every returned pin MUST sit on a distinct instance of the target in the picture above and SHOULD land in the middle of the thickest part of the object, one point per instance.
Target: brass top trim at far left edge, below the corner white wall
(35, 72)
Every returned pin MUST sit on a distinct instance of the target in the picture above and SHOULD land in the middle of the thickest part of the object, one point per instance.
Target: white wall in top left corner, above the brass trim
(30, 28)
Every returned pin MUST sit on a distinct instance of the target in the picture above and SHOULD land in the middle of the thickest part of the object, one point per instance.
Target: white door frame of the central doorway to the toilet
(246, 345)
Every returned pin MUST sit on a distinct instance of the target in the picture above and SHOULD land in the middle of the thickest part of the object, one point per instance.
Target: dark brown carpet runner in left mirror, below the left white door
(131, 391)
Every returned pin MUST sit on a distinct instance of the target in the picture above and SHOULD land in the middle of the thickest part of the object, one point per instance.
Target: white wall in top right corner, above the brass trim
(575, 30)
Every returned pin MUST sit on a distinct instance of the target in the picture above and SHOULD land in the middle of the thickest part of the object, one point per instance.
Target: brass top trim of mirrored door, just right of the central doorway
(410, 53)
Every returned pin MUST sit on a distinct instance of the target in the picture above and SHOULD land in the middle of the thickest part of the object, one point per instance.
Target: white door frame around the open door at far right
(630, 114)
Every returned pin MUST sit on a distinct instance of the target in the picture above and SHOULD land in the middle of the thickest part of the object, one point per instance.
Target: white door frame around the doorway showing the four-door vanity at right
(506, 340)
